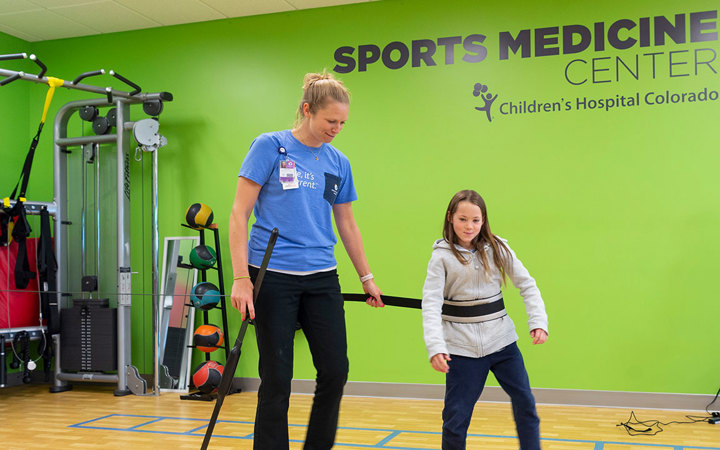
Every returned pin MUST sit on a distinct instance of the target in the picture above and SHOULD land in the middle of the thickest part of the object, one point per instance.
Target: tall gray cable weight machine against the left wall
(92, 244)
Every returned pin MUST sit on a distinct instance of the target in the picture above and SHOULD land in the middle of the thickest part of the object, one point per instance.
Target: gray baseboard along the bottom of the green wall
(574, 397)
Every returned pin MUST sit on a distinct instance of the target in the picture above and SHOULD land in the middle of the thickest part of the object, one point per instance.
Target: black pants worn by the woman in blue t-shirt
(315, 302)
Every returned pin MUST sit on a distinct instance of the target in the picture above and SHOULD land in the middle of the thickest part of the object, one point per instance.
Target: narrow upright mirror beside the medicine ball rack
(176, 316)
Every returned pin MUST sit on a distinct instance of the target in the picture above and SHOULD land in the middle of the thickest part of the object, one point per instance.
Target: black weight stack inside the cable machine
(88, 336)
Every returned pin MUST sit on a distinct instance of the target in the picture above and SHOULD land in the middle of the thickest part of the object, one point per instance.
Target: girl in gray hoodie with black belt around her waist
(467, 330)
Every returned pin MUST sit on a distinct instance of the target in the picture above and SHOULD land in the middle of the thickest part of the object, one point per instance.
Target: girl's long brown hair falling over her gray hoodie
(501, 254)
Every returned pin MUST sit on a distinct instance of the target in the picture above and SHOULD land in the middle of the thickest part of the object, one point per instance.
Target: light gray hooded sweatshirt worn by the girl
(448, 278)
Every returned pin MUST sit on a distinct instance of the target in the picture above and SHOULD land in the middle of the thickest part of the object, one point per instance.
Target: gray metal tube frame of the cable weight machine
(122, 138)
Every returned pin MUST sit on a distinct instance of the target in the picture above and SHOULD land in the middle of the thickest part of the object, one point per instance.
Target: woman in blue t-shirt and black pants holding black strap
(296, 181)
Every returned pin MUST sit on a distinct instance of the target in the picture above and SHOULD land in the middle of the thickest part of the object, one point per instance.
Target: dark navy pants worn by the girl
(464, 384)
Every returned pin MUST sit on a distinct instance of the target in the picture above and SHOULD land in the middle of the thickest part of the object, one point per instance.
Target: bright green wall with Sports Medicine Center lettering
(613, 211)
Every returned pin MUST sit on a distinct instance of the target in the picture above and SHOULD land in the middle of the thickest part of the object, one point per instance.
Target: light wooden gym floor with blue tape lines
(91, 417)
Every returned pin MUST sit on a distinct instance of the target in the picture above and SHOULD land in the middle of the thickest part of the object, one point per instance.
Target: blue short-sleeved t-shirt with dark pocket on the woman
(304, 215)
